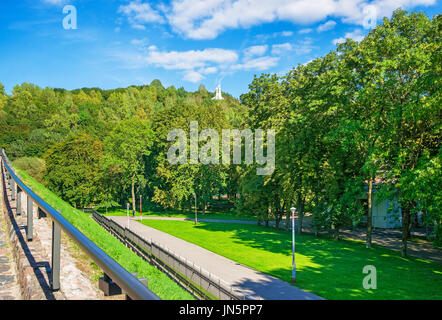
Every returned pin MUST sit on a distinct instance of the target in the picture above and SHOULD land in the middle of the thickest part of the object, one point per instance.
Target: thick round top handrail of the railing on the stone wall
(125, 280)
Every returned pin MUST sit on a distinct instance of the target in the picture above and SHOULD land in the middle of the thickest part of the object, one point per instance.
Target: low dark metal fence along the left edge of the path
(195, 279)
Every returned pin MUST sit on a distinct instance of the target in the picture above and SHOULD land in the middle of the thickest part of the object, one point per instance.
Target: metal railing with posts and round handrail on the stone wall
(125, 280)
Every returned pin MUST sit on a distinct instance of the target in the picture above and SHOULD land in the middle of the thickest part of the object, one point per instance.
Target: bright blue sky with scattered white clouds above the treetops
(181, 42)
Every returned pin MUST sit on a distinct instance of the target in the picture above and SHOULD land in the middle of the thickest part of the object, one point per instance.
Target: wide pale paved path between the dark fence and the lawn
(243, 279)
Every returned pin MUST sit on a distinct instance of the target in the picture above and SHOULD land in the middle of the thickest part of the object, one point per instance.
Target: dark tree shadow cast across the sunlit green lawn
(334, 269)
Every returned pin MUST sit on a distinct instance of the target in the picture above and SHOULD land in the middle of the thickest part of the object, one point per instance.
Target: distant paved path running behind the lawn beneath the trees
(391, 239)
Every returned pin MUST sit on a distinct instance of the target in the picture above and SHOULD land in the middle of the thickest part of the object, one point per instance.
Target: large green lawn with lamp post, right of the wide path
(331, 269)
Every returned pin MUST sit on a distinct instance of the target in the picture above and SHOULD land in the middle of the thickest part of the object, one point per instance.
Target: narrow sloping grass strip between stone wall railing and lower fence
(159, 283)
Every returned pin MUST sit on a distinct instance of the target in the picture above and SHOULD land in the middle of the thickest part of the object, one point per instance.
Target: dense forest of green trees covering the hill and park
(362, 122)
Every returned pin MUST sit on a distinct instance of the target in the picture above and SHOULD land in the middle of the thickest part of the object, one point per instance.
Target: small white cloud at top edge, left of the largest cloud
(139, 13)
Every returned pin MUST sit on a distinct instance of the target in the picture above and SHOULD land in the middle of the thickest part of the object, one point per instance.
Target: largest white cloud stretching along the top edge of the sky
(206, 19)
